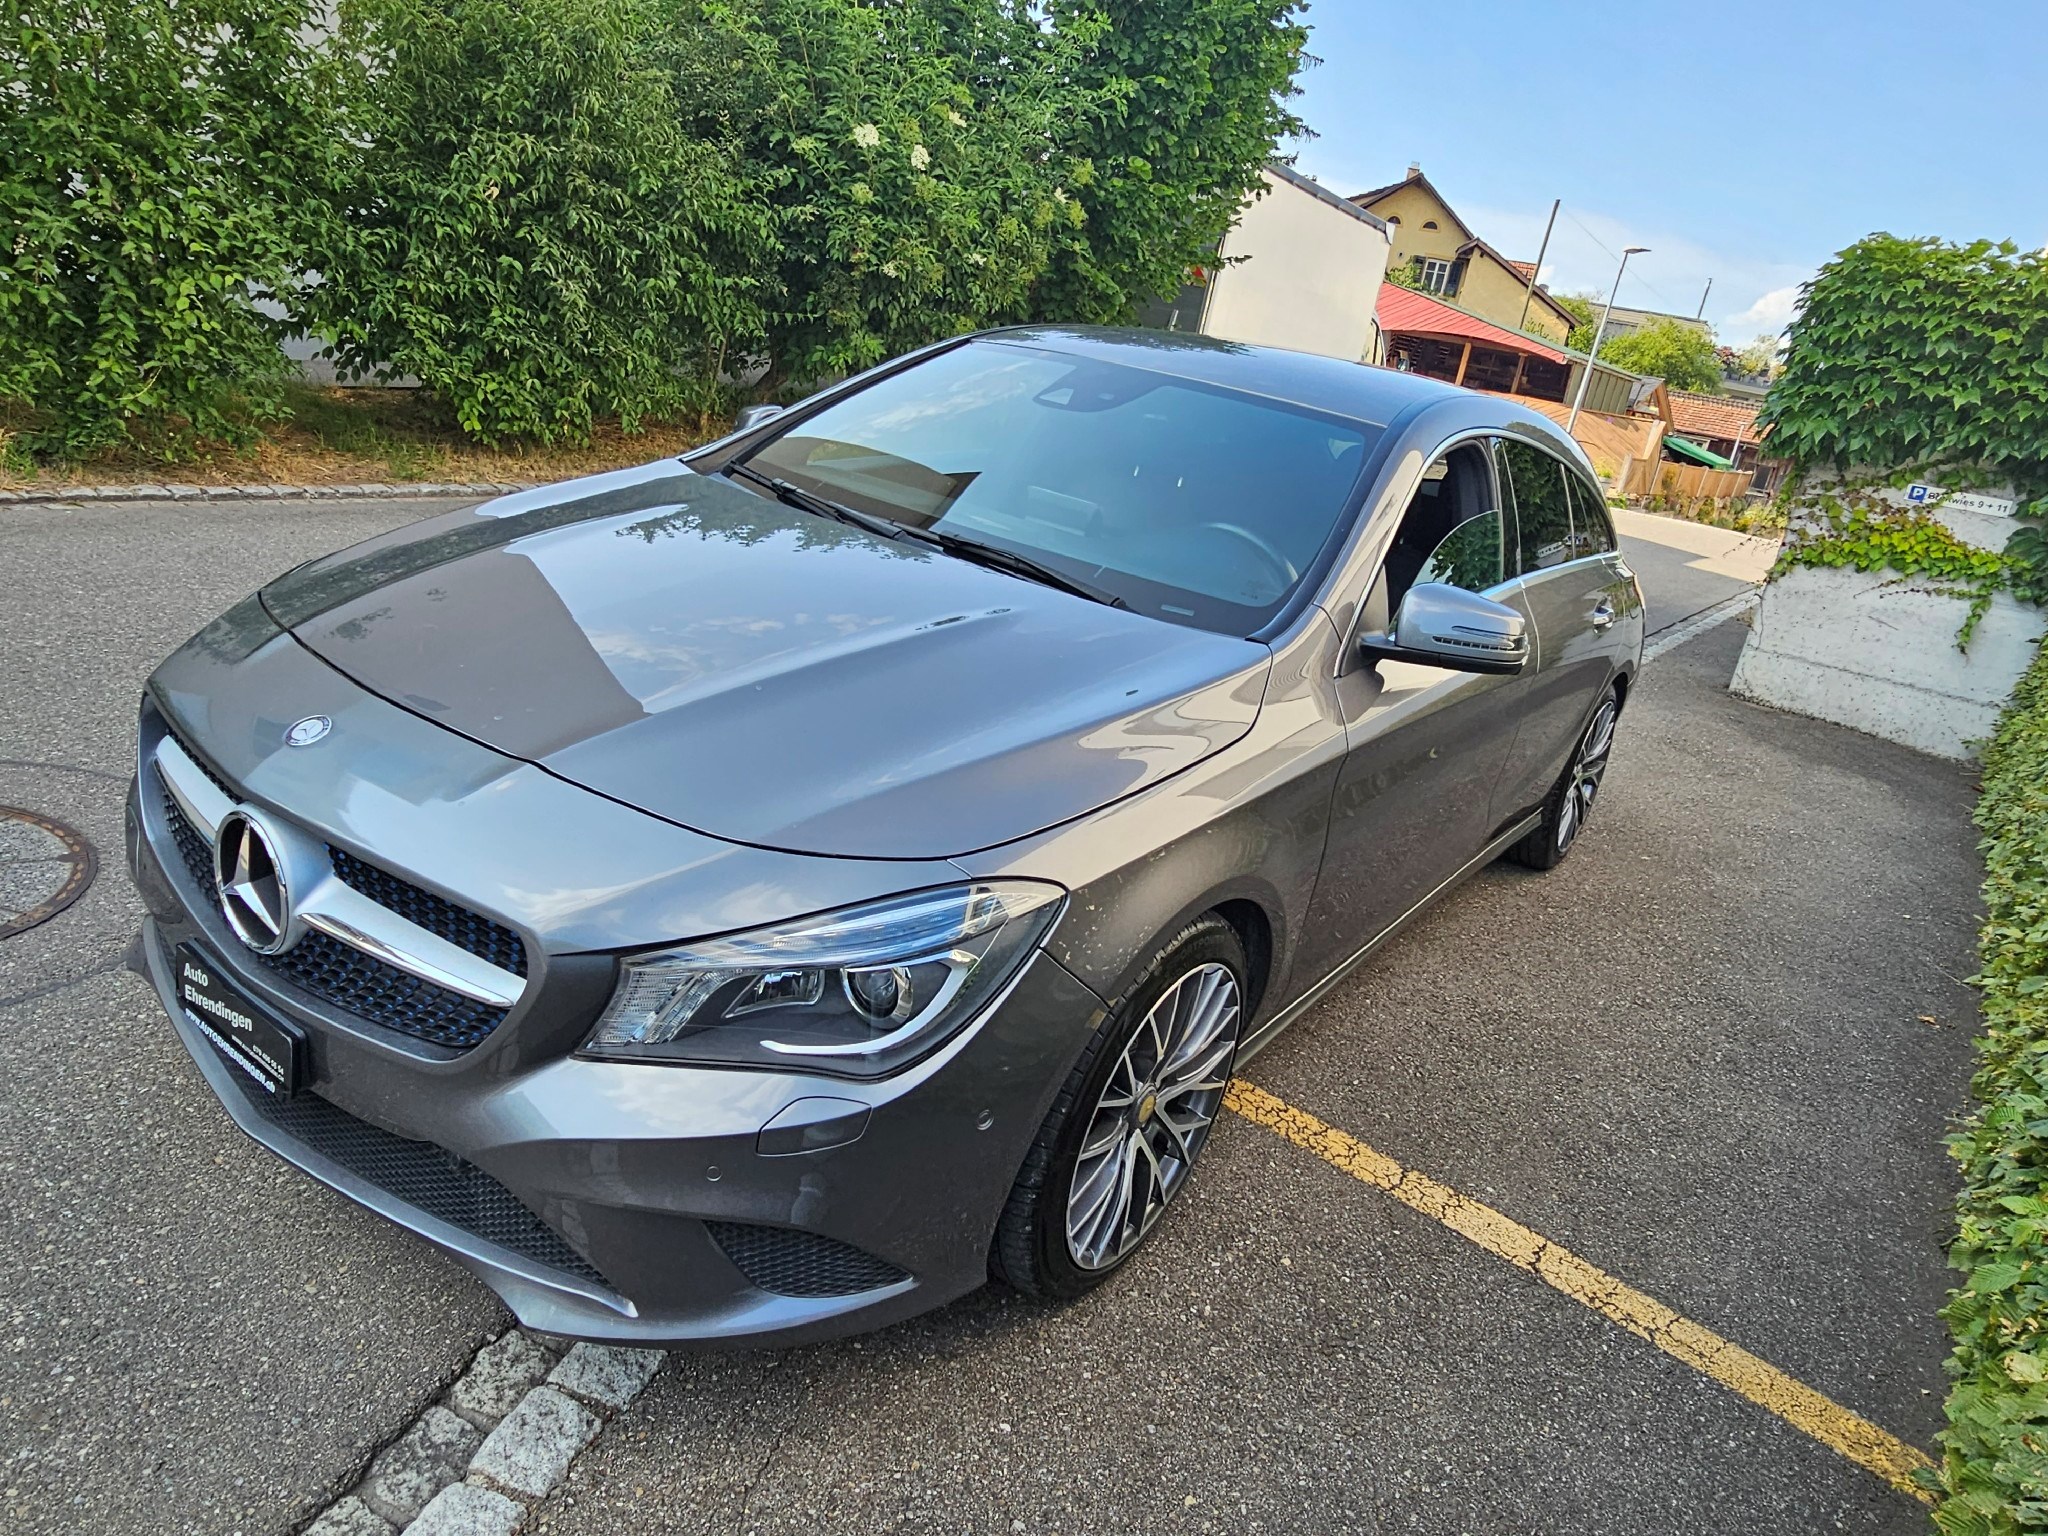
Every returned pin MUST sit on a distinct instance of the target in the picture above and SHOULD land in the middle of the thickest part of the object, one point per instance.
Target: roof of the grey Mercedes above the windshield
(1353, 390)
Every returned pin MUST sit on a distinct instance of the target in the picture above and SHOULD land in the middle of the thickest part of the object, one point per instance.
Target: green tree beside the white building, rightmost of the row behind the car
(1179, 105)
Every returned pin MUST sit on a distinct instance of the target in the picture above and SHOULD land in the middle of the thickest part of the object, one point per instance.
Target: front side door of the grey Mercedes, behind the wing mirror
(1424, 744)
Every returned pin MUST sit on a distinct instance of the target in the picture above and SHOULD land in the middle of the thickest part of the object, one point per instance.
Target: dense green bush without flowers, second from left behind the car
(527, 224)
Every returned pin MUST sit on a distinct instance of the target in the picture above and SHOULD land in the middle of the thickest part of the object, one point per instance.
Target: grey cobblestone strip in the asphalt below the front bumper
(497, 1443)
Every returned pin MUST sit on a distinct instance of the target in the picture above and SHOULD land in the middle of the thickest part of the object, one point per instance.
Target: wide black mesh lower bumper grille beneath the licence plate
(425, 1177)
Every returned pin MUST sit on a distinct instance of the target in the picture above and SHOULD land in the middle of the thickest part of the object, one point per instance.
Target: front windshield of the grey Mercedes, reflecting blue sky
(1189, 503)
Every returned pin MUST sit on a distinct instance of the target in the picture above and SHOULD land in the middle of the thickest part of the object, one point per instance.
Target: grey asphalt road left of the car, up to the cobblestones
(196, 1336)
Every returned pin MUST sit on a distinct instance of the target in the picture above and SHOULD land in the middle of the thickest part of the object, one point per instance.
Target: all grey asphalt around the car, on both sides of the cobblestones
(1697, 1056)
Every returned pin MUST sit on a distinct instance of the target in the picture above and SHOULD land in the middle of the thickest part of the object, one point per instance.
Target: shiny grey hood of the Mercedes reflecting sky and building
(767, 675)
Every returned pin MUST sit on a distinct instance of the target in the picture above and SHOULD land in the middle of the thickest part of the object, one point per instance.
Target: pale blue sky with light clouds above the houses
(1742, 142)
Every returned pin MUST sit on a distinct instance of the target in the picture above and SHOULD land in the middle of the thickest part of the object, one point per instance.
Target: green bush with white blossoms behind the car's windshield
(908, 159)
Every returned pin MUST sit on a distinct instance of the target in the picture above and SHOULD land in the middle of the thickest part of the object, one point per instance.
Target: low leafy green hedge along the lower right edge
(1996, 1447)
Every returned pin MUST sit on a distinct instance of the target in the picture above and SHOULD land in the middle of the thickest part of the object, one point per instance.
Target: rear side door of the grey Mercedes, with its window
(1582, 603)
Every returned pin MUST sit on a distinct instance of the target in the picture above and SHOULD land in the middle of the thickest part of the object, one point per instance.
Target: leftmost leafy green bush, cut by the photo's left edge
(155, 179)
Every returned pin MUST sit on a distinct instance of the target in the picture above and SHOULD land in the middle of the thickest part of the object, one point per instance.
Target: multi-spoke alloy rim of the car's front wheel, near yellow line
(1154, 1115)
